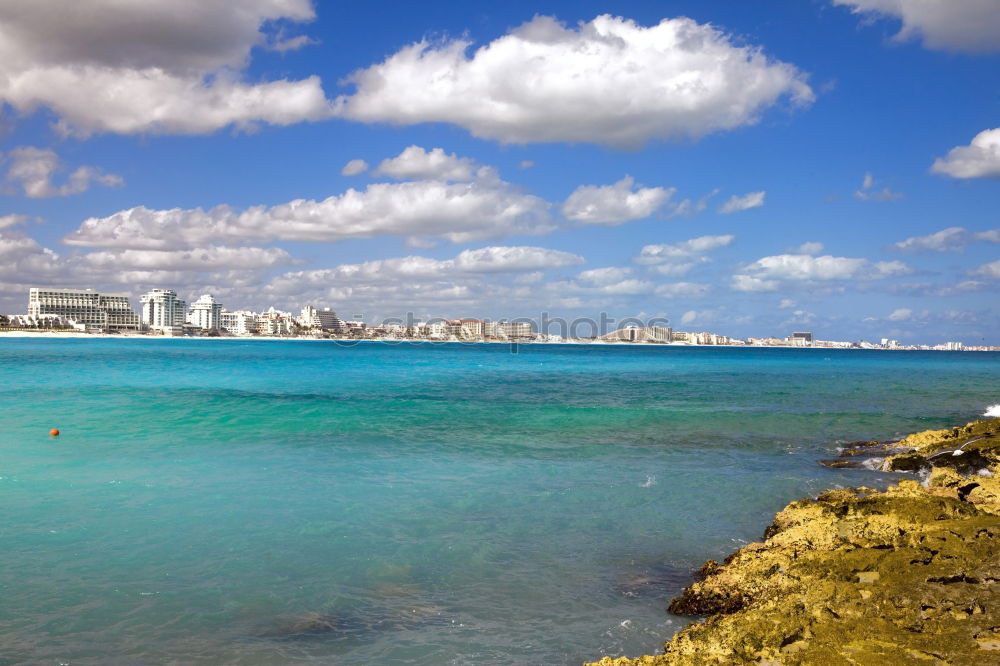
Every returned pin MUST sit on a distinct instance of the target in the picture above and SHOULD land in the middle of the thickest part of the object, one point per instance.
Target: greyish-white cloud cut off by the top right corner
(951, 25)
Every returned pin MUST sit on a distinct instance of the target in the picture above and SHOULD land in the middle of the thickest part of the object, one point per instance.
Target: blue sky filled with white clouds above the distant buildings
(742, 168)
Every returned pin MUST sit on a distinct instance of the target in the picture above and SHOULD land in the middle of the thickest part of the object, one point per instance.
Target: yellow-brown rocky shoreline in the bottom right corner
(858, 576)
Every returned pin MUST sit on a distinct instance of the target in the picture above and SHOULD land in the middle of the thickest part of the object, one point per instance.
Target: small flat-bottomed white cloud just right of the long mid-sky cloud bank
(614, 204)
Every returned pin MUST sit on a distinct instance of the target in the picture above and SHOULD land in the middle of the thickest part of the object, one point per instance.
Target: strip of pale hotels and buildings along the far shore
(161, 312)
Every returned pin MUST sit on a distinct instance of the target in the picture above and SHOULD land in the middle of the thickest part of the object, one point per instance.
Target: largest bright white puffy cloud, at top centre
(608, 81)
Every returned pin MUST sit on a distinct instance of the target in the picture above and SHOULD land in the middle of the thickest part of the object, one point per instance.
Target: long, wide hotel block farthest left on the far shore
(84, 306)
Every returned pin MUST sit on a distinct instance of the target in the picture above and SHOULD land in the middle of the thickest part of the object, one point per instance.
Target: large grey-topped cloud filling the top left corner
(158, 66)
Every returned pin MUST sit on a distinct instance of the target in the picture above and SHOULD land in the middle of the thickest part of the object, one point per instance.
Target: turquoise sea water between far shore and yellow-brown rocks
(240, 502)
